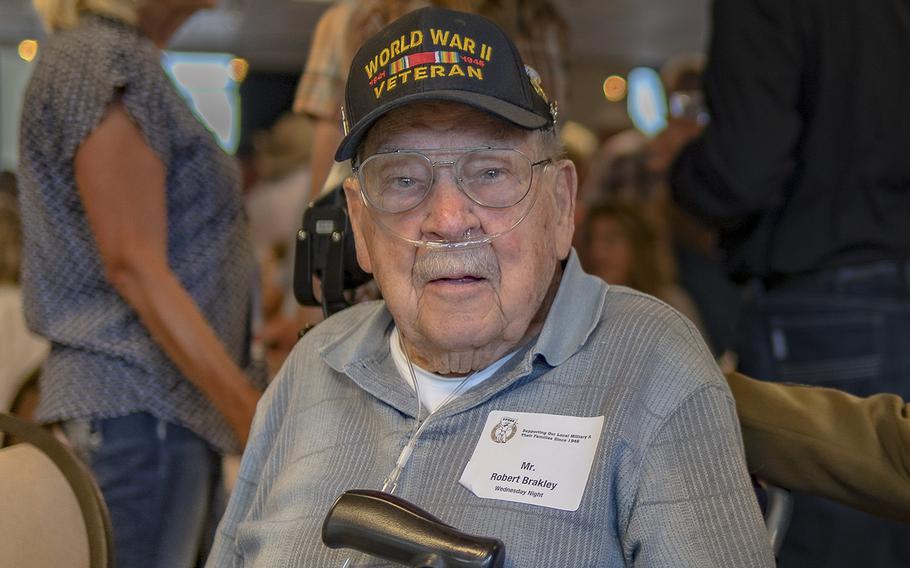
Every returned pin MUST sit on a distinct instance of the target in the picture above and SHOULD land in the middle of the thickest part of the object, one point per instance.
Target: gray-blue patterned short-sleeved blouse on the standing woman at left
(103, 362)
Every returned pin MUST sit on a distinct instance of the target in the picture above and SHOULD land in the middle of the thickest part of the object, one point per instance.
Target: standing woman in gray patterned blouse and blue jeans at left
(138, 269)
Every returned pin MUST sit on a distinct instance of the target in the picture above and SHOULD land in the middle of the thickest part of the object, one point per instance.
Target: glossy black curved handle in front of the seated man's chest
(396, 530)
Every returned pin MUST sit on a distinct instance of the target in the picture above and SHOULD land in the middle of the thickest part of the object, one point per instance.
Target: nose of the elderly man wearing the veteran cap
(450, 213)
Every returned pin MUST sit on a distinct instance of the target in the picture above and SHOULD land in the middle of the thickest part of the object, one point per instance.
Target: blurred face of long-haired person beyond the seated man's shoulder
(608, 252)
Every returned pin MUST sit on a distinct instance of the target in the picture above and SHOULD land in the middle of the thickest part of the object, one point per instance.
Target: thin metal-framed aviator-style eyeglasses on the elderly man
(398, 181)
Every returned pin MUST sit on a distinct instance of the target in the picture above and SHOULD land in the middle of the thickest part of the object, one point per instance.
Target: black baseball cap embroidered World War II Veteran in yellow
(433, 54)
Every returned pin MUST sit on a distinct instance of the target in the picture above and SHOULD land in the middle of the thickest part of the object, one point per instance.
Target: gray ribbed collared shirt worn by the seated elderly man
(668, 486)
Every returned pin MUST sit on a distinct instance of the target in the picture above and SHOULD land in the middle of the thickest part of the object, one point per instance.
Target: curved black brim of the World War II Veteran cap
(517, 115)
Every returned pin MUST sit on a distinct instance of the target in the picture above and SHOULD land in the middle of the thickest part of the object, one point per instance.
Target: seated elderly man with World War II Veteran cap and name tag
(497, 385)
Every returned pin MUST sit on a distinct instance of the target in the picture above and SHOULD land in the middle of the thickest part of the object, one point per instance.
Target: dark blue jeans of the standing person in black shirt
(846, 328)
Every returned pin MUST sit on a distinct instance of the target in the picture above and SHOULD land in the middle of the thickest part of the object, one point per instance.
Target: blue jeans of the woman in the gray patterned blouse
(162, 485)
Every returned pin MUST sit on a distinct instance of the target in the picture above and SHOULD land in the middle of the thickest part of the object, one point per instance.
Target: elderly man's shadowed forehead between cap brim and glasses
(441, 121)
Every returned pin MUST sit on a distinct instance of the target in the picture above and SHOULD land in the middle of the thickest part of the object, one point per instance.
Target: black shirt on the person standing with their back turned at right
(806, 162)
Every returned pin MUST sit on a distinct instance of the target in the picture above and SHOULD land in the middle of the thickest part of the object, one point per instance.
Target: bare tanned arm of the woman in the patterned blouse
(122, 185)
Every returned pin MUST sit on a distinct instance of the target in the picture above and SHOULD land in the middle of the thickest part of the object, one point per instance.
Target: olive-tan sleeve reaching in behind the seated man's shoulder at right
(829, 443)
